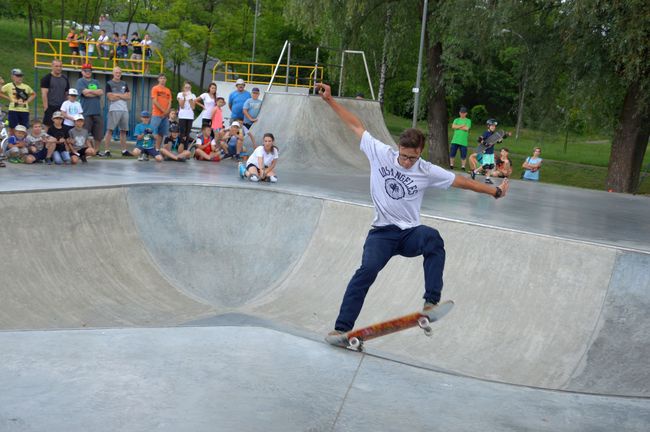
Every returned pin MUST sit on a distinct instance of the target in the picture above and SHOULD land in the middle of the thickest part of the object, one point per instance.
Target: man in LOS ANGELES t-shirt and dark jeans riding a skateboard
(398, 179)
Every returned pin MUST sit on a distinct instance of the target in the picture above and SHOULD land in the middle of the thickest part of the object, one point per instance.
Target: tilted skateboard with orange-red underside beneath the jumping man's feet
(355, 338)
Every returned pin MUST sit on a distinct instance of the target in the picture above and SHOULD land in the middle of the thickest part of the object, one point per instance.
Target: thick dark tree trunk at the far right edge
(630, 142)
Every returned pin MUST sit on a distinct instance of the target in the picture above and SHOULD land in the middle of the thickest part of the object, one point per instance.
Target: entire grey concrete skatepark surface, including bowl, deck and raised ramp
(142, 296)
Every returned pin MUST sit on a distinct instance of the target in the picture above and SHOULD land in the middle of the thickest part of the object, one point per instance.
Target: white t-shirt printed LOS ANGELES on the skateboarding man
(397, 192)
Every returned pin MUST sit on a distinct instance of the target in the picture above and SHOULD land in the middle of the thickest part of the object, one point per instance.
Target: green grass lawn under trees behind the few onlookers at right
(583, 165)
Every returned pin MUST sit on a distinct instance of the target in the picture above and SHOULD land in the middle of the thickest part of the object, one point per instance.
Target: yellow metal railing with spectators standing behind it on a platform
(46, 50)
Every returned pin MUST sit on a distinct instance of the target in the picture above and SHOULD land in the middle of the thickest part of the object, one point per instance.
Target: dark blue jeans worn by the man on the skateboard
(383, 243)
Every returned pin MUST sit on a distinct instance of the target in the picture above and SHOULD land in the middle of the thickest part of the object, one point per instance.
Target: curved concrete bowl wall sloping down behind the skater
(542, 312)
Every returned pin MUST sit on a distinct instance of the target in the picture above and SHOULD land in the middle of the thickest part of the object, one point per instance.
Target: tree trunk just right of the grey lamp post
(437, 104)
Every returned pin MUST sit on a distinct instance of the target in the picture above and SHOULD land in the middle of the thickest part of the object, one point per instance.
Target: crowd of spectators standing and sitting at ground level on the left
(72, 129)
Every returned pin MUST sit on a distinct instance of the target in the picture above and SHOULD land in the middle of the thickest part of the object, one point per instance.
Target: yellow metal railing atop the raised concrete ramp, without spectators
(261, 73)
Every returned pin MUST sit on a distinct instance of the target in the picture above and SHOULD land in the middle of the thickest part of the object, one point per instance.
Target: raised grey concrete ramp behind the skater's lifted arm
(310, 135)
